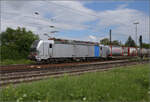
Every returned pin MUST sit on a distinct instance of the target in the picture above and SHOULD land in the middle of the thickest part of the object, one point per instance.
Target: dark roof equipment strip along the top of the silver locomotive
(64, 41)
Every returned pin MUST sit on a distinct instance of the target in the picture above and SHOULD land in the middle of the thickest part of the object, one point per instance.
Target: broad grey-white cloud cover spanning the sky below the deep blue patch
(73, 15)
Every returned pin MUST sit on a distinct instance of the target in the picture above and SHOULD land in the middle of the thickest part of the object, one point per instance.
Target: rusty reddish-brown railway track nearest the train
(22, 67)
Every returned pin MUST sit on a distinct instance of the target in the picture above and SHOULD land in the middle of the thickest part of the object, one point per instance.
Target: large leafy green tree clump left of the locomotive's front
(15, 43)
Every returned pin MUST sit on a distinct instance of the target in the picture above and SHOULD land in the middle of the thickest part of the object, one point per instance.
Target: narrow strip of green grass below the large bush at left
(11, 62)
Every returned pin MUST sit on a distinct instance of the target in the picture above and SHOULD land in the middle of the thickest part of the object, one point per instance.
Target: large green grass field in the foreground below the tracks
(126, 84)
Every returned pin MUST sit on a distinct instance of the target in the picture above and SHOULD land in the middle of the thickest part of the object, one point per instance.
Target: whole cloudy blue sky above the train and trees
(86, 20)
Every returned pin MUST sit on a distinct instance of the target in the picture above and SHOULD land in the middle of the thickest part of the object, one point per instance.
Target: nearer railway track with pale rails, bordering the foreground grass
(58, 71)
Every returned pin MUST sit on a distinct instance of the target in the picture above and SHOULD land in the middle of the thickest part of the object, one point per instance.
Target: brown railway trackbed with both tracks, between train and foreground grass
(29, 73)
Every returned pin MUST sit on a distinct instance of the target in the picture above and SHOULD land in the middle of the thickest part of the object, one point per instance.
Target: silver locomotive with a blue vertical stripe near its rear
(58, 49)
